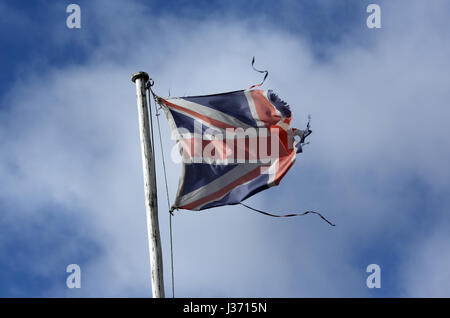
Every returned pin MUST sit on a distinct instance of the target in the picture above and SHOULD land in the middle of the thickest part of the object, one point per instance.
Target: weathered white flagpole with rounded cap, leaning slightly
(151, 203)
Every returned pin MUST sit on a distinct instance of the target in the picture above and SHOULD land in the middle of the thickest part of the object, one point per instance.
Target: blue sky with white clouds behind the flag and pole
(71, 184)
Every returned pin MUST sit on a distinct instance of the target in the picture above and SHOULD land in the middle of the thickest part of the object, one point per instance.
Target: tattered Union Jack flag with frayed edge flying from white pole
(232, 145)
